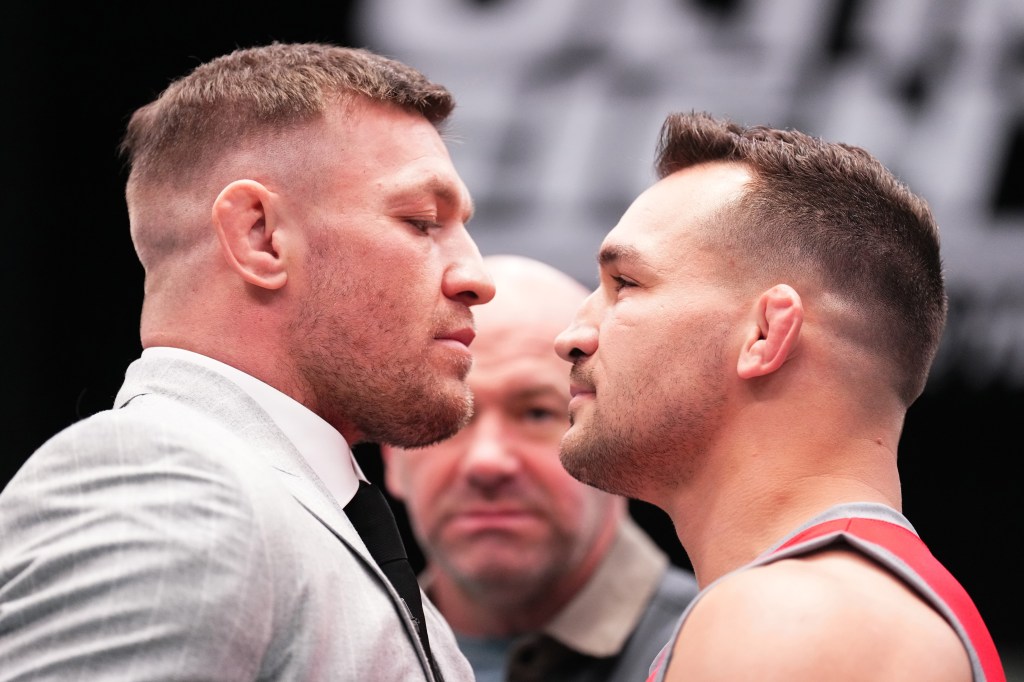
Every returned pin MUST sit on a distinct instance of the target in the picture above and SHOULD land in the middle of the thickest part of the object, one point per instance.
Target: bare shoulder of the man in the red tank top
(835, 616)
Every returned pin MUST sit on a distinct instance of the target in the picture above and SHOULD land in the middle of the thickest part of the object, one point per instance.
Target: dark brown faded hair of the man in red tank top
(833, 210)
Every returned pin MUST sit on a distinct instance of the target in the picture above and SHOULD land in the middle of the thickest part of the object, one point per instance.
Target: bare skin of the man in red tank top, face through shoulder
(728, 399)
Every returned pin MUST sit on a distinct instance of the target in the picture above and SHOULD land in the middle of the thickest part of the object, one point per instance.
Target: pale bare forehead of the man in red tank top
(660, 222)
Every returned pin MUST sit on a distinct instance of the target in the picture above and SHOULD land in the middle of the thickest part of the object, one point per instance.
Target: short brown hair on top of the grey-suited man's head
(260, 91)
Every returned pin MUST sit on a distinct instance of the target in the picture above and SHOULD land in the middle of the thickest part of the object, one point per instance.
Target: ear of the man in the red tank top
(775, 332)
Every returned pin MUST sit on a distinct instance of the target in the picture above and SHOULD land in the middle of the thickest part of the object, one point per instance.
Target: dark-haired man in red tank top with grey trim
(767, 313)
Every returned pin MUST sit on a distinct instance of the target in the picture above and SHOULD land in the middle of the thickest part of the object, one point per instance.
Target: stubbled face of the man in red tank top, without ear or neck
(651, 347)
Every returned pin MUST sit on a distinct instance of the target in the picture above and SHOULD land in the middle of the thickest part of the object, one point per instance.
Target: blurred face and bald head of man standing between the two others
(509, 535)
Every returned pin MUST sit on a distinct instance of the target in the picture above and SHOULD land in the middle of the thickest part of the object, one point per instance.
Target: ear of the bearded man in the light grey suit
(247, 229)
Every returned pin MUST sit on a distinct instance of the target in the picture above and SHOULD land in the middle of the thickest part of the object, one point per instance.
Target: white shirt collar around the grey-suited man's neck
(324, 449)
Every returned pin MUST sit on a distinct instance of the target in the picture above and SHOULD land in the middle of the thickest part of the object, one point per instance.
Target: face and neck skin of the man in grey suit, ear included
(334, 266)
